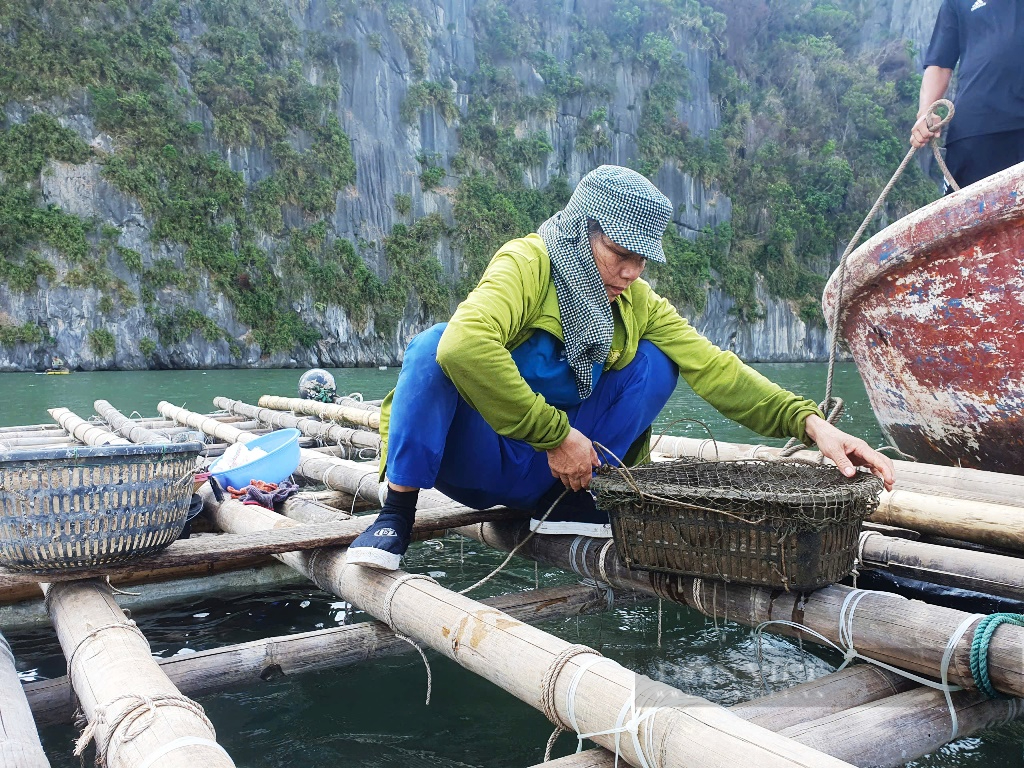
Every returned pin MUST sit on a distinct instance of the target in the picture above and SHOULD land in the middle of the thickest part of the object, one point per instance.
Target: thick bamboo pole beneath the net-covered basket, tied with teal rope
(908, 634)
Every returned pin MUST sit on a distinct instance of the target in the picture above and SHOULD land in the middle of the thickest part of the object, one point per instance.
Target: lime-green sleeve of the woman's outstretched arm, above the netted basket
(733, 388)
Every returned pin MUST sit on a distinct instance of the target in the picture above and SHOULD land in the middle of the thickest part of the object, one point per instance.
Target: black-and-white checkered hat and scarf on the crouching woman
(633, 214)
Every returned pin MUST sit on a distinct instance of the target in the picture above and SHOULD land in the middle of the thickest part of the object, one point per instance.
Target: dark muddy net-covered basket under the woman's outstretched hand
(785, 525)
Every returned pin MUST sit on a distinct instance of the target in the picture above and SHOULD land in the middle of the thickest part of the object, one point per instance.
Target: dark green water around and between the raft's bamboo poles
(373, 715)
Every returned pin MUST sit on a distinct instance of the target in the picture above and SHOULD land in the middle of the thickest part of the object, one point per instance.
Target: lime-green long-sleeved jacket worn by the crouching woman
(517, 296)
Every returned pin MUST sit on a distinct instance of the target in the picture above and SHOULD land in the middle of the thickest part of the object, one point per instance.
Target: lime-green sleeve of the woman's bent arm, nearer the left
(474, 354)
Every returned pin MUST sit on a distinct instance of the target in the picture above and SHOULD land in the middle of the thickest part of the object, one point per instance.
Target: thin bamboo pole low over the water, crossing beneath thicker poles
(209, 671)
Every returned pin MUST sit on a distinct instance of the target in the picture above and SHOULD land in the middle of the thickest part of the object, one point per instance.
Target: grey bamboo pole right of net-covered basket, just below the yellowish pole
(982, 572)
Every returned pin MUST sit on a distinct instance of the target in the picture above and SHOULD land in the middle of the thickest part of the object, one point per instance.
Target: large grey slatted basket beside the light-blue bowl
(70, 508)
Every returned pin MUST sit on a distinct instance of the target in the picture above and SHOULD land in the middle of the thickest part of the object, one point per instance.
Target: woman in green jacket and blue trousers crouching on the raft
(563, 345)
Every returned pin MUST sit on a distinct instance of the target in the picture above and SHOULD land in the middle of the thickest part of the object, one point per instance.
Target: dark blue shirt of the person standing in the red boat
(988, 38)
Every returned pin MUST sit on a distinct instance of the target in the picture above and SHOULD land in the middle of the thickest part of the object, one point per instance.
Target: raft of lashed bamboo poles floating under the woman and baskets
(943, 526)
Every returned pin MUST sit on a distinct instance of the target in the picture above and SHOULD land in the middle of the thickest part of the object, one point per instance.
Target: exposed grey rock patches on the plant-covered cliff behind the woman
(376, 79)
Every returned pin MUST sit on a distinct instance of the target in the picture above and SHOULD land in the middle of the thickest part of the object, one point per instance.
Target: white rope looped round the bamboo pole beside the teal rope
(849, 652)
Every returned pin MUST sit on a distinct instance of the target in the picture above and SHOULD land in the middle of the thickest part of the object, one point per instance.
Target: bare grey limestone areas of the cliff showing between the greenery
(376, 64)
